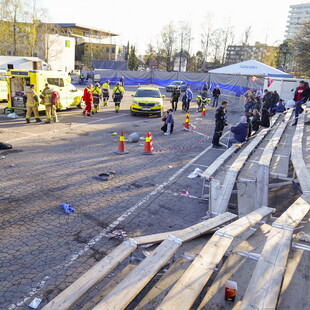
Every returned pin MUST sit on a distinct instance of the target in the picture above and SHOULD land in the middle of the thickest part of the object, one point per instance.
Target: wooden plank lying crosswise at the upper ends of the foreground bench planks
(190, 232)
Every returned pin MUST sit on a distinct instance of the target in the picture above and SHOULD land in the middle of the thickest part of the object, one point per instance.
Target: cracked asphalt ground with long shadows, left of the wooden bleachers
(42, 250)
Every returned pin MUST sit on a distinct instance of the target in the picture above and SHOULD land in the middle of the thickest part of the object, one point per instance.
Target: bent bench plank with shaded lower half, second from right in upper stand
(264, 163)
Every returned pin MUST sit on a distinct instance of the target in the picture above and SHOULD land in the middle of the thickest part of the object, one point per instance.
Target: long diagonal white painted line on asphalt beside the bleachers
(104, 233)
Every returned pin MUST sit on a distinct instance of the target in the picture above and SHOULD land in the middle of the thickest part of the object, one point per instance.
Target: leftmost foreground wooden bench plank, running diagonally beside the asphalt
(90, 278)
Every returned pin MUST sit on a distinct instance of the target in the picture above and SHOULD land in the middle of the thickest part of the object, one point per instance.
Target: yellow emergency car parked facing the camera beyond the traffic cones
(147, 100)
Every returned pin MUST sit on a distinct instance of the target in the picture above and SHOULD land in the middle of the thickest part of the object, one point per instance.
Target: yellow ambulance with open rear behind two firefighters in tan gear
(19, 80)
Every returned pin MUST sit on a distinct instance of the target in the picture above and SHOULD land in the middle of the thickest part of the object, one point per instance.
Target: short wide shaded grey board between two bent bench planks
(246, 203)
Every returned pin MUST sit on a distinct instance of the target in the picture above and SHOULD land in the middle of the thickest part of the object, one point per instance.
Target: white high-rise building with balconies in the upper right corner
(297, 15)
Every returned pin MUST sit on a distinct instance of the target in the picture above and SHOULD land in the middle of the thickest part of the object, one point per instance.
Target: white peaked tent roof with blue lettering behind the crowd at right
(251, 67)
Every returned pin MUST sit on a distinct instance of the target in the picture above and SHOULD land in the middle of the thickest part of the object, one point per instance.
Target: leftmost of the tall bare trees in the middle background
(168, 42)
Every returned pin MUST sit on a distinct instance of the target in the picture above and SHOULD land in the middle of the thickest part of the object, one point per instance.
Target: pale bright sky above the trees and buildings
(141, 21)
